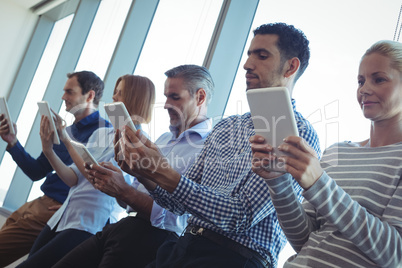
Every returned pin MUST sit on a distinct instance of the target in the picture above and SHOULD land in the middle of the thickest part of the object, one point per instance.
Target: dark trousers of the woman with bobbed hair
(51, 246)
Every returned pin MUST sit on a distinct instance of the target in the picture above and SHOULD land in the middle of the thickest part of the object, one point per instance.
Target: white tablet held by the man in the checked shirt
(119, 116)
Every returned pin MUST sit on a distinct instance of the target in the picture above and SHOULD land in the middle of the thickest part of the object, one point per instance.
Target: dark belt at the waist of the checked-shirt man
(227, 243)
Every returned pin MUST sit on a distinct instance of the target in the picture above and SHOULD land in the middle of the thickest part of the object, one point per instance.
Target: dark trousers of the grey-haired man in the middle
(131, 242)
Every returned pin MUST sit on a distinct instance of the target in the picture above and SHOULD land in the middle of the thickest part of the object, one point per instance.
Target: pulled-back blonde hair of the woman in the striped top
(389, 49)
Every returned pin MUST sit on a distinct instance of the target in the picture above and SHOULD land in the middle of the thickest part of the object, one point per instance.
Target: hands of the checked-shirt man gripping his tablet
(139, 157)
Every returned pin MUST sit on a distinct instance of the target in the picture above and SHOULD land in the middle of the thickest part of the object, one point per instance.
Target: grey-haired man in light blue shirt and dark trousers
(134, 240)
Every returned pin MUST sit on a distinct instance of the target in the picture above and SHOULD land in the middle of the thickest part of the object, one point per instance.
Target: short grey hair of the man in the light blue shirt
(195, 77)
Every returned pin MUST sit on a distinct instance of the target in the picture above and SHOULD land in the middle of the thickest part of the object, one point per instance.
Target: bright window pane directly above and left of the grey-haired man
(180, 34)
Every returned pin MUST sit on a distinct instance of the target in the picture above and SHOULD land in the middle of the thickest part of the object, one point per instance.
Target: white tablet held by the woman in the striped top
(273, 117)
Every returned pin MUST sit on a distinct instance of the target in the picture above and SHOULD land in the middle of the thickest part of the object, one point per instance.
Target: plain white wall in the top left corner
(16, 26)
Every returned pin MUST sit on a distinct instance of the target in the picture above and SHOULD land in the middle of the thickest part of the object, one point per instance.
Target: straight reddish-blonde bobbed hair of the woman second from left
(138, 96)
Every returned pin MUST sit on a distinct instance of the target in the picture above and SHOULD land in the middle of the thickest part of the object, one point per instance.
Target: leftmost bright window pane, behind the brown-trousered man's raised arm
(35, 94)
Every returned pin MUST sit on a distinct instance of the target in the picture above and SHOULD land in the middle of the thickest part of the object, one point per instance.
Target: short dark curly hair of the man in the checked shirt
(291, 43)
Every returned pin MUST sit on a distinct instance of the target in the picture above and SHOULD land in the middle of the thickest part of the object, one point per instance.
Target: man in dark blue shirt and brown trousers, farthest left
(82, 93)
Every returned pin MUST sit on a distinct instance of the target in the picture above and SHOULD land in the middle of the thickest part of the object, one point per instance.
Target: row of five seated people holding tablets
(203, 196)
